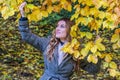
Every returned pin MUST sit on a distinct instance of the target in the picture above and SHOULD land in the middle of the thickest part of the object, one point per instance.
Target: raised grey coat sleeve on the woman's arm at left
(38, 42)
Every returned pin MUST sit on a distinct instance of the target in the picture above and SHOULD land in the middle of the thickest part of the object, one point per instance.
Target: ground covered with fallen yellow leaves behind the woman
(20, 61)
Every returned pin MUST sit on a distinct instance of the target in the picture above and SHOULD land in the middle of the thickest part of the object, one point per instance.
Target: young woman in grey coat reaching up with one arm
(58, 65)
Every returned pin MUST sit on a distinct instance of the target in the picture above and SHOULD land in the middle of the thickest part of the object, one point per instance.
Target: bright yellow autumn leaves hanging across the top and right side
(98, 16)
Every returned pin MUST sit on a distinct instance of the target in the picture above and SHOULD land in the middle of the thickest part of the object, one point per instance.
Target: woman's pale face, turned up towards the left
(61, 30)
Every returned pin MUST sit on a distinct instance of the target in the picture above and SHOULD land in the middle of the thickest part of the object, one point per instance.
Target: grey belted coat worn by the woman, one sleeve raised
(52, 70)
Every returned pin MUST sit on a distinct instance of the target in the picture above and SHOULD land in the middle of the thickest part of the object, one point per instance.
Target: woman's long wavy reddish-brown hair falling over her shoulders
(54, 41)
